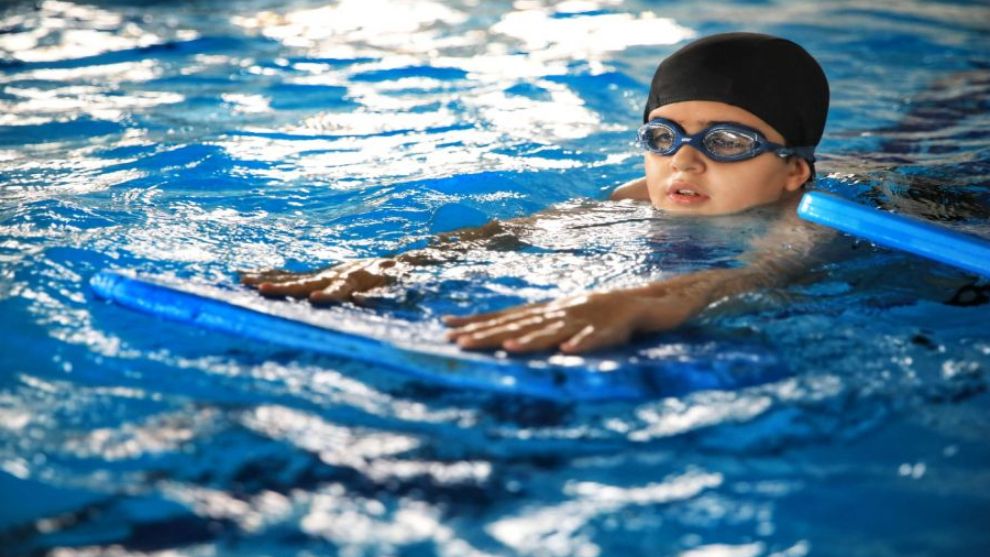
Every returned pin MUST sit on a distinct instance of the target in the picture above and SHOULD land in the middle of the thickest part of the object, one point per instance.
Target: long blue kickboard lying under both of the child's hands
(661, 367)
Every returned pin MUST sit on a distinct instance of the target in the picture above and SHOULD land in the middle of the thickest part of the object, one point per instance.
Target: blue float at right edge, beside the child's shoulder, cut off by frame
(909, 234)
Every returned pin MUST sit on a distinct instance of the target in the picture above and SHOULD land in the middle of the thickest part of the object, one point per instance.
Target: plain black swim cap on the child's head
(771, 77)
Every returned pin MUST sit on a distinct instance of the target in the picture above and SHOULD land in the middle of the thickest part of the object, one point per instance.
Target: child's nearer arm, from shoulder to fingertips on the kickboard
(600, 319)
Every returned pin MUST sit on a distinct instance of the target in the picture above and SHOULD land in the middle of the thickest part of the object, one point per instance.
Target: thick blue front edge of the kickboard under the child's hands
(442, 365)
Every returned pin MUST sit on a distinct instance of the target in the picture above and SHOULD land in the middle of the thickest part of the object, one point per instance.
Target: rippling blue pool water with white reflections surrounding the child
(192, 138)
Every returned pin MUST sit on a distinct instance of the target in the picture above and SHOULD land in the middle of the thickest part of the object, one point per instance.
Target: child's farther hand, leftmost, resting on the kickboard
(347, 282)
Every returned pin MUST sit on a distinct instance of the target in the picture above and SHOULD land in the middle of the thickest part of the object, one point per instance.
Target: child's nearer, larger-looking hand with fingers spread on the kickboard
(574, 324)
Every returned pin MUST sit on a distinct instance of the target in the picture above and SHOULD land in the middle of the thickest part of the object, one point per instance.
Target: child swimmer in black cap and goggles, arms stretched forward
(731, 123)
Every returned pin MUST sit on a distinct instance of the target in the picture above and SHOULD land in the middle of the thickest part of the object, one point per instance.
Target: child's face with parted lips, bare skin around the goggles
(689, 182)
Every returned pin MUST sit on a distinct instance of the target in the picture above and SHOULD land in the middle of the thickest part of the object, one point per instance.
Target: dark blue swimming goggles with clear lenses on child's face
(721, 142)
